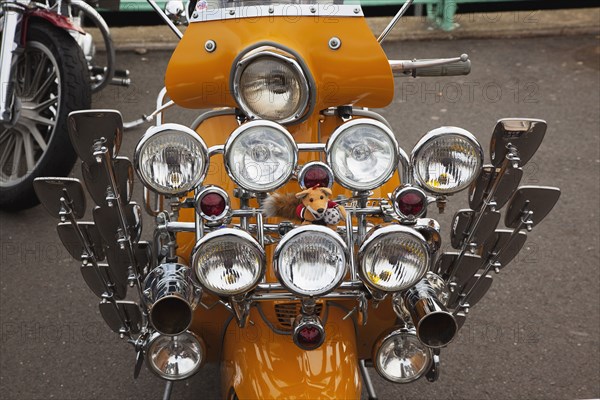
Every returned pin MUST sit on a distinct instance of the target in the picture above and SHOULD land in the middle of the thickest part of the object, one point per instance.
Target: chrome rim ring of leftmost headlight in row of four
(157, 130)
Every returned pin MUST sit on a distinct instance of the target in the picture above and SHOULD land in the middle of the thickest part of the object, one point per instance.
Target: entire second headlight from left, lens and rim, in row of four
(260, 156)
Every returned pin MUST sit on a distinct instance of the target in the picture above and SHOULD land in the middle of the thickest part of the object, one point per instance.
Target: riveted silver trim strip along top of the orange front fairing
(289, 11)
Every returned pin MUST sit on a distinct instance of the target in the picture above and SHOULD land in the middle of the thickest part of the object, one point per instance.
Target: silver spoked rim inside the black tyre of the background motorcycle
(38, 90)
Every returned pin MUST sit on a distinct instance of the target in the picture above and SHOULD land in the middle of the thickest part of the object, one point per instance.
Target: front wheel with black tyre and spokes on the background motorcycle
(51, 79)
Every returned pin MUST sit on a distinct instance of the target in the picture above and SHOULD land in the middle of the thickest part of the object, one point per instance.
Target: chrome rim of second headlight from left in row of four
(246, 127)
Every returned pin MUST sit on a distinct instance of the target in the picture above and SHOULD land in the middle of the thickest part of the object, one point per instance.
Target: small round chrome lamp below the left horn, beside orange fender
(175, 357)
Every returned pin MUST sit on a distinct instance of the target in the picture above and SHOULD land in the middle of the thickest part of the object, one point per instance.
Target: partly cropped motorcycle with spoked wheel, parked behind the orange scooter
(48, 69)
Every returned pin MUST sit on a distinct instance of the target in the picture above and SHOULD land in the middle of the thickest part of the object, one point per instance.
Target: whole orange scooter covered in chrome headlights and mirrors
(291, 210)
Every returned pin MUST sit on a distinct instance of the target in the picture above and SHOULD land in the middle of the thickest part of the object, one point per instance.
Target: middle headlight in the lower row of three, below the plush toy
(311, 260)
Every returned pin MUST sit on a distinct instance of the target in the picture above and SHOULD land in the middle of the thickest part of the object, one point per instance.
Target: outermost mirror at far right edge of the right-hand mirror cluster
(530, 205)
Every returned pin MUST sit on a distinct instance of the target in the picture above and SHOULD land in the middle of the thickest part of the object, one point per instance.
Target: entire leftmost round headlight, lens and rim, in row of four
(171, 159)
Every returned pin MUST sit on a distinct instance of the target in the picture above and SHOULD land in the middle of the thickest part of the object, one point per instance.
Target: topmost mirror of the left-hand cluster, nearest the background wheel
(91, 129)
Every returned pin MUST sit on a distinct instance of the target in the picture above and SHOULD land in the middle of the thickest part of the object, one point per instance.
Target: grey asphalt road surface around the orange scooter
(535, 334)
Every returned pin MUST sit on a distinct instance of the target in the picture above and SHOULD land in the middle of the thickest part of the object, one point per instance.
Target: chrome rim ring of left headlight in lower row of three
(238, 234)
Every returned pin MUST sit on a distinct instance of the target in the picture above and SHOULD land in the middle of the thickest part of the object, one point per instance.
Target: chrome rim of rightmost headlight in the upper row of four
(434, 134)
